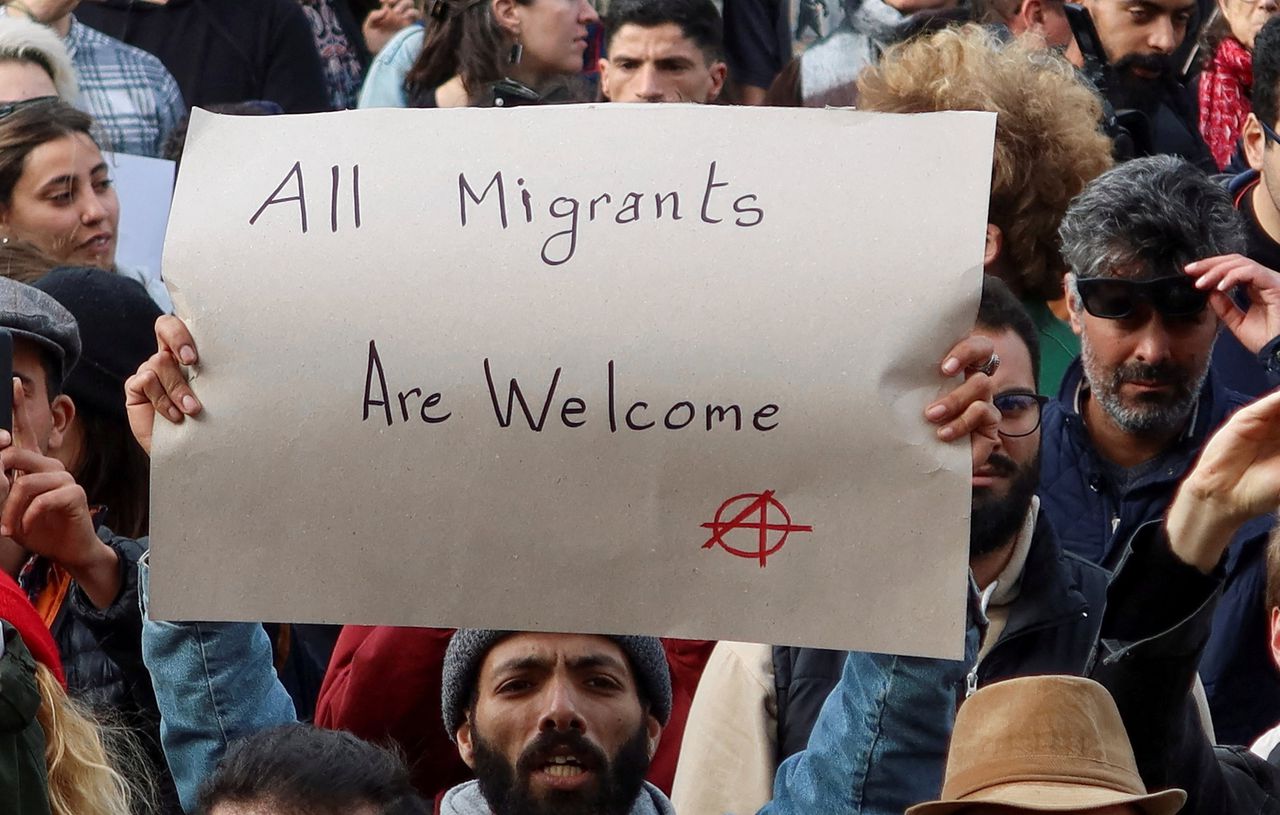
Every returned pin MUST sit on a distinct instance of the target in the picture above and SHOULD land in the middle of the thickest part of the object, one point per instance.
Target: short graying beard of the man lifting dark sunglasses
(1150, 414)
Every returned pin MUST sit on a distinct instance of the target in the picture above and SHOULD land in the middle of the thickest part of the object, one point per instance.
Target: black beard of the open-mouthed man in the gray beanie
(618, 784)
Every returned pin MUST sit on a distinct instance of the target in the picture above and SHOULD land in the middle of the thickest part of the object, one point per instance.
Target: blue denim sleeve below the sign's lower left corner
(216, 684)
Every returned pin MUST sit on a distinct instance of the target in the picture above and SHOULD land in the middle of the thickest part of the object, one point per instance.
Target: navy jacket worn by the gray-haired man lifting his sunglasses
(1095, 521)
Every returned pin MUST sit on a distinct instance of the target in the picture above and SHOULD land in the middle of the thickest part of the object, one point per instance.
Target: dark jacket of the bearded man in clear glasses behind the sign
(1053, 629)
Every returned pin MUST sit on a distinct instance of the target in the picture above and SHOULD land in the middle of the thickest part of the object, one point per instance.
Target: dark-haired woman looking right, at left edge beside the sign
(56, 189)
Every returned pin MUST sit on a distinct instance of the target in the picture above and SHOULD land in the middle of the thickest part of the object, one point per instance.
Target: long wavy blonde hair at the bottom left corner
(83, 771)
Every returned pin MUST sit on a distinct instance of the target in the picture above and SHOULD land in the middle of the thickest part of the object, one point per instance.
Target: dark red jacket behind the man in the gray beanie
(385, 685)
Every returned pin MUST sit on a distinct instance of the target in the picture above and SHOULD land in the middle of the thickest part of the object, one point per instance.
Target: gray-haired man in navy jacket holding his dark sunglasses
(1140, 404)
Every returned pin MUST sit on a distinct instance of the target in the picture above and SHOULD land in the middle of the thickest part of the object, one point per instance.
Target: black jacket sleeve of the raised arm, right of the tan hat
(1160, 613)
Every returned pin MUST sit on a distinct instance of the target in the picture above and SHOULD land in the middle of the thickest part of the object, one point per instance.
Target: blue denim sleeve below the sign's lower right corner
(881, 740)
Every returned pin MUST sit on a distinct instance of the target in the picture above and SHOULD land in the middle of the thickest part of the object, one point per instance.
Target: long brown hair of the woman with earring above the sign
(465, 40)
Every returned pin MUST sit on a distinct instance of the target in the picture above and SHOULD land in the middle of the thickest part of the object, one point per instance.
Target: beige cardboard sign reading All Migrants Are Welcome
(596, 369)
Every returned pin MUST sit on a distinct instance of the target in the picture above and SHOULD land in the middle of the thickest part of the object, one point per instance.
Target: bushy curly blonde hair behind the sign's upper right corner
(1048, 140)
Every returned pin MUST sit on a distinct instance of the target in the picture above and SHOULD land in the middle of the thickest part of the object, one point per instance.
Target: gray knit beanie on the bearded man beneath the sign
(469, 647)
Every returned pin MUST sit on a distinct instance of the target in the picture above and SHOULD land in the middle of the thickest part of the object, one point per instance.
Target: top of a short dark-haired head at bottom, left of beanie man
(299, 770)
